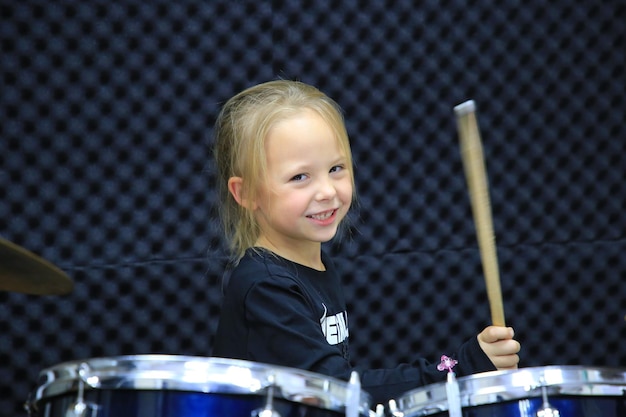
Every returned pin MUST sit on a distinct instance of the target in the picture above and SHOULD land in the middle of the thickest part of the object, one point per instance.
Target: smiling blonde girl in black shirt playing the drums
(286, 183)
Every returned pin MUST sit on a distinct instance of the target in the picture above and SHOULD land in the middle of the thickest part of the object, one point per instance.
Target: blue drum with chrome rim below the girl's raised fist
(572, 391)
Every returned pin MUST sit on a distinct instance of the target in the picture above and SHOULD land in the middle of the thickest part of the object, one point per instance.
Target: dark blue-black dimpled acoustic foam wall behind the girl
(106, 114)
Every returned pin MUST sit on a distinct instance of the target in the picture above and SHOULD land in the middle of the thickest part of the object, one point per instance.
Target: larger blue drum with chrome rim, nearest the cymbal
(184, 386)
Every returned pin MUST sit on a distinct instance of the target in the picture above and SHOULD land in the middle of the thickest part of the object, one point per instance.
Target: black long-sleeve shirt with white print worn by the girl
(279, 312)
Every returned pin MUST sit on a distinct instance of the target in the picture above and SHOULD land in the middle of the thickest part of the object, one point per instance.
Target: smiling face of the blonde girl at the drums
(309, 187)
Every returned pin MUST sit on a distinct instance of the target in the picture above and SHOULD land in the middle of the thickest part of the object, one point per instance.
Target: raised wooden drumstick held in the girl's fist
(475, 172)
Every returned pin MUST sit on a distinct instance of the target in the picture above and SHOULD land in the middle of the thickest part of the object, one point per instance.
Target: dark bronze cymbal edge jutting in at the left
(23, 271)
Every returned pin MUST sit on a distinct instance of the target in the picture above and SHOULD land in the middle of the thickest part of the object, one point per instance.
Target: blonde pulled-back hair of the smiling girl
(239, 149)
